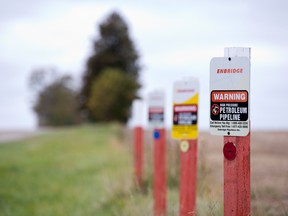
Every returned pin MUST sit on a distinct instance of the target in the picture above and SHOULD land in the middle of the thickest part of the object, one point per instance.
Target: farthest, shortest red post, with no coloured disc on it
(138, 156)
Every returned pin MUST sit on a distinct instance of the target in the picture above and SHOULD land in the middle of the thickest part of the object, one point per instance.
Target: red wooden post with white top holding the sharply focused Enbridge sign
(237, 171)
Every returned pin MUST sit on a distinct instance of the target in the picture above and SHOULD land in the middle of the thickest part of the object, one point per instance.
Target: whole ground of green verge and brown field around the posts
(88, 170)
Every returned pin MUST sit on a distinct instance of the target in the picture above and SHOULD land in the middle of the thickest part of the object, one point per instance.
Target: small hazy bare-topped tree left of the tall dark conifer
(56, 103)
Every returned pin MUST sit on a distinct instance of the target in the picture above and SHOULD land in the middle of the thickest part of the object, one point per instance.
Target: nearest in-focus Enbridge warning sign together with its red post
(229, 117)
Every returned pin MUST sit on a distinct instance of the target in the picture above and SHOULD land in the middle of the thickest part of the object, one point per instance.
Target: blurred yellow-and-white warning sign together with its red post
(185, 128)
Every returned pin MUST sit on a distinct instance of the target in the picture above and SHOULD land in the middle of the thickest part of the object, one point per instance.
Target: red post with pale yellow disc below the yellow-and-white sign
(188, 178)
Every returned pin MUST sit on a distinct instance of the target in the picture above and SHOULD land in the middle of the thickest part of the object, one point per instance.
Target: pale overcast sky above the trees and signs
(174, 38)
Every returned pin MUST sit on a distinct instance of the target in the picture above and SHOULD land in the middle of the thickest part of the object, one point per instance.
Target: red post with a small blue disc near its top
(159, 172)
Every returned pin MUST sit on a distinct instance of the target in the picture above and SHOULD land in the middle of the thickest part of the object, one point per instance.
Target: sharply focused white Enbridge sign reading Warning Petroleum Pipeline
(229, 96)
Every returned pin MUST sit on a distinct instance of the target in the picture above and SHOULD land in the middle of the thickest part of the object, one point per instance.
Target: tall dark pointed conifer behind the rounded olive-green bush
(113, 49)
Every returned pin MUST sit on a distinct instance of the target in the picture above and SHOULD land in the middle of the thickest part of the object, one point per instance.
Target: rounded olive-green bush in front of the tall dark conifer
(112, 92)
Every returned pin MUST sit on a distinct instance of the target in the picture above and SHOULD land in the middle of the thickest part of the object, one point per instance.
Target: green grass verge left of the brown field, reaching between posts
(88, 170)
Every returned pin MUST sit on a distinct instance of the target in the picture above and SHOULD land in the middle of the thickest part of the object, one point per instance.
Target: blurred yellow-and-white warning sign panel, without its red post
(185, 109)
